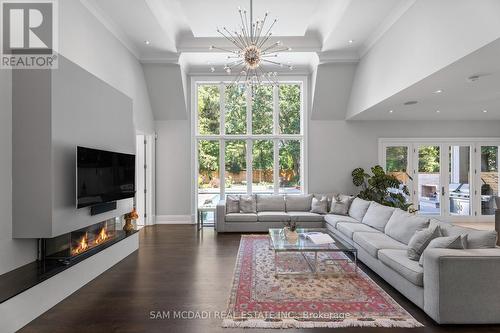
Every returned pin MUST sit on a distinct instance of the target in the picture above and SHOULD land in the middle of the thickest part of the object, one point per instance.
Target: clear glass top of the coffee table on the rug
(280, 243)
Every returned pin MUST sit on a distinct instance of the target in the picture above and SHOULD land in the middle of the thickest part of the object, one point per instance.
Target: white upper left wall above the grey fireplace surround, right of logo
(86, 42)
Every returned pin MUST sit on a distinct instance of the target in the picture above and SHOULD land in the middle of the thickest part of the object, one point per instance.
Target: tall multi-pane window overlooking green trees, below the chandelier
(249, 140)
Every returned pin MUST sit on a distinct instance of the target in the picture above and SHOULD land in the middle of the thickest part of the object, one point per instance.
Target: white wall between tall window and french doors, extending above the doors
(338, 147)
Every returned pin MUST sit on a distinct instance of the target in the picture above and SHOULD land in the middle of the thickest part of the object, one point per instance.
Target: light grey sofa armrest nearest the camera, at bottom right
(462, 286)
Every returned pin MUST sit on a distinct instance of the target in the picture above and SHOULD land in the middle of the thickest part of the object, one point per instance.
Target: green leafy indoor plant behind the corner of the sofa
(381, 187)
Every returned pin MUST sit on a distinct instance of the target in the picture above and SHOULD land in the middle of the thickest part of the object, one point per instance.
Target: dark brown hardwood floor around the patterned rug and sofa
(177, 268)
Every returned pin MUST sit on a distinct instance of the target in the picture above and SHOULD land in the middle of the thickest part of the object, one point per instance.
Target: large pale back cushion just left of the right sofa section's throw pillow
(402, 225)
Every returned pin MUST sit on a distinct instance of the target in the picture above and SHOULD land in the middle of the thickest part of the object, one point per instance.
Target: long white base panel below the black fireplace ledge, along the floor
(23, 308)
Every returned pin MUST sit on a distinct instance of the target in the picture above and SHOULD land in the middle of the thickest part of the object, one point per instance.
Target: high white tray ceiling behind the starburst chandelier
(175, 27)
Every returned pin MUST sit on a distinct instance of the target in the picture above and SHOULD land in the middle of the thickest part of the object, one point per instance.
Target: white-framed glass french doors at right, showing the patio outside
(452, 179)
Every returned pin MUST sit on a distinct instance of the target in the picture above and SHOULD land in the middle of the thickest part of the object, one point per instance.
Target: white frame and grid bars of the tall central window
(222, 137)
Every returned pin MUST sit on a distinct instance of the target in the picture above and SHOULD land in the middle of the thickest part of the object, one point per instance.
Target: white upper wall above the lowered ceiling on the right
(428, 37)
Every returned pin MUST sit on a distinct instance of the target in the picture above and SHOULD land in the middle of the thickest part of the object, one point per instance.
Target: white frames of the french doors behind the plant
(475, 145)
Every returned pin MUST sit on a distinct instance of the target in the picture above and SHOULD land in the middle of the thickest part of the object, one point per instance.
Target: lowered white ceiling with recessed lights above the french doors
(460, 99)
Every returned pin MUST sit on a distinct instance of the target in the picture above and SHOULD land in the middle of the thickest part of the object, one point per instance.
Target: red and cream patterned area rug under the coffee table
(344, 298)
